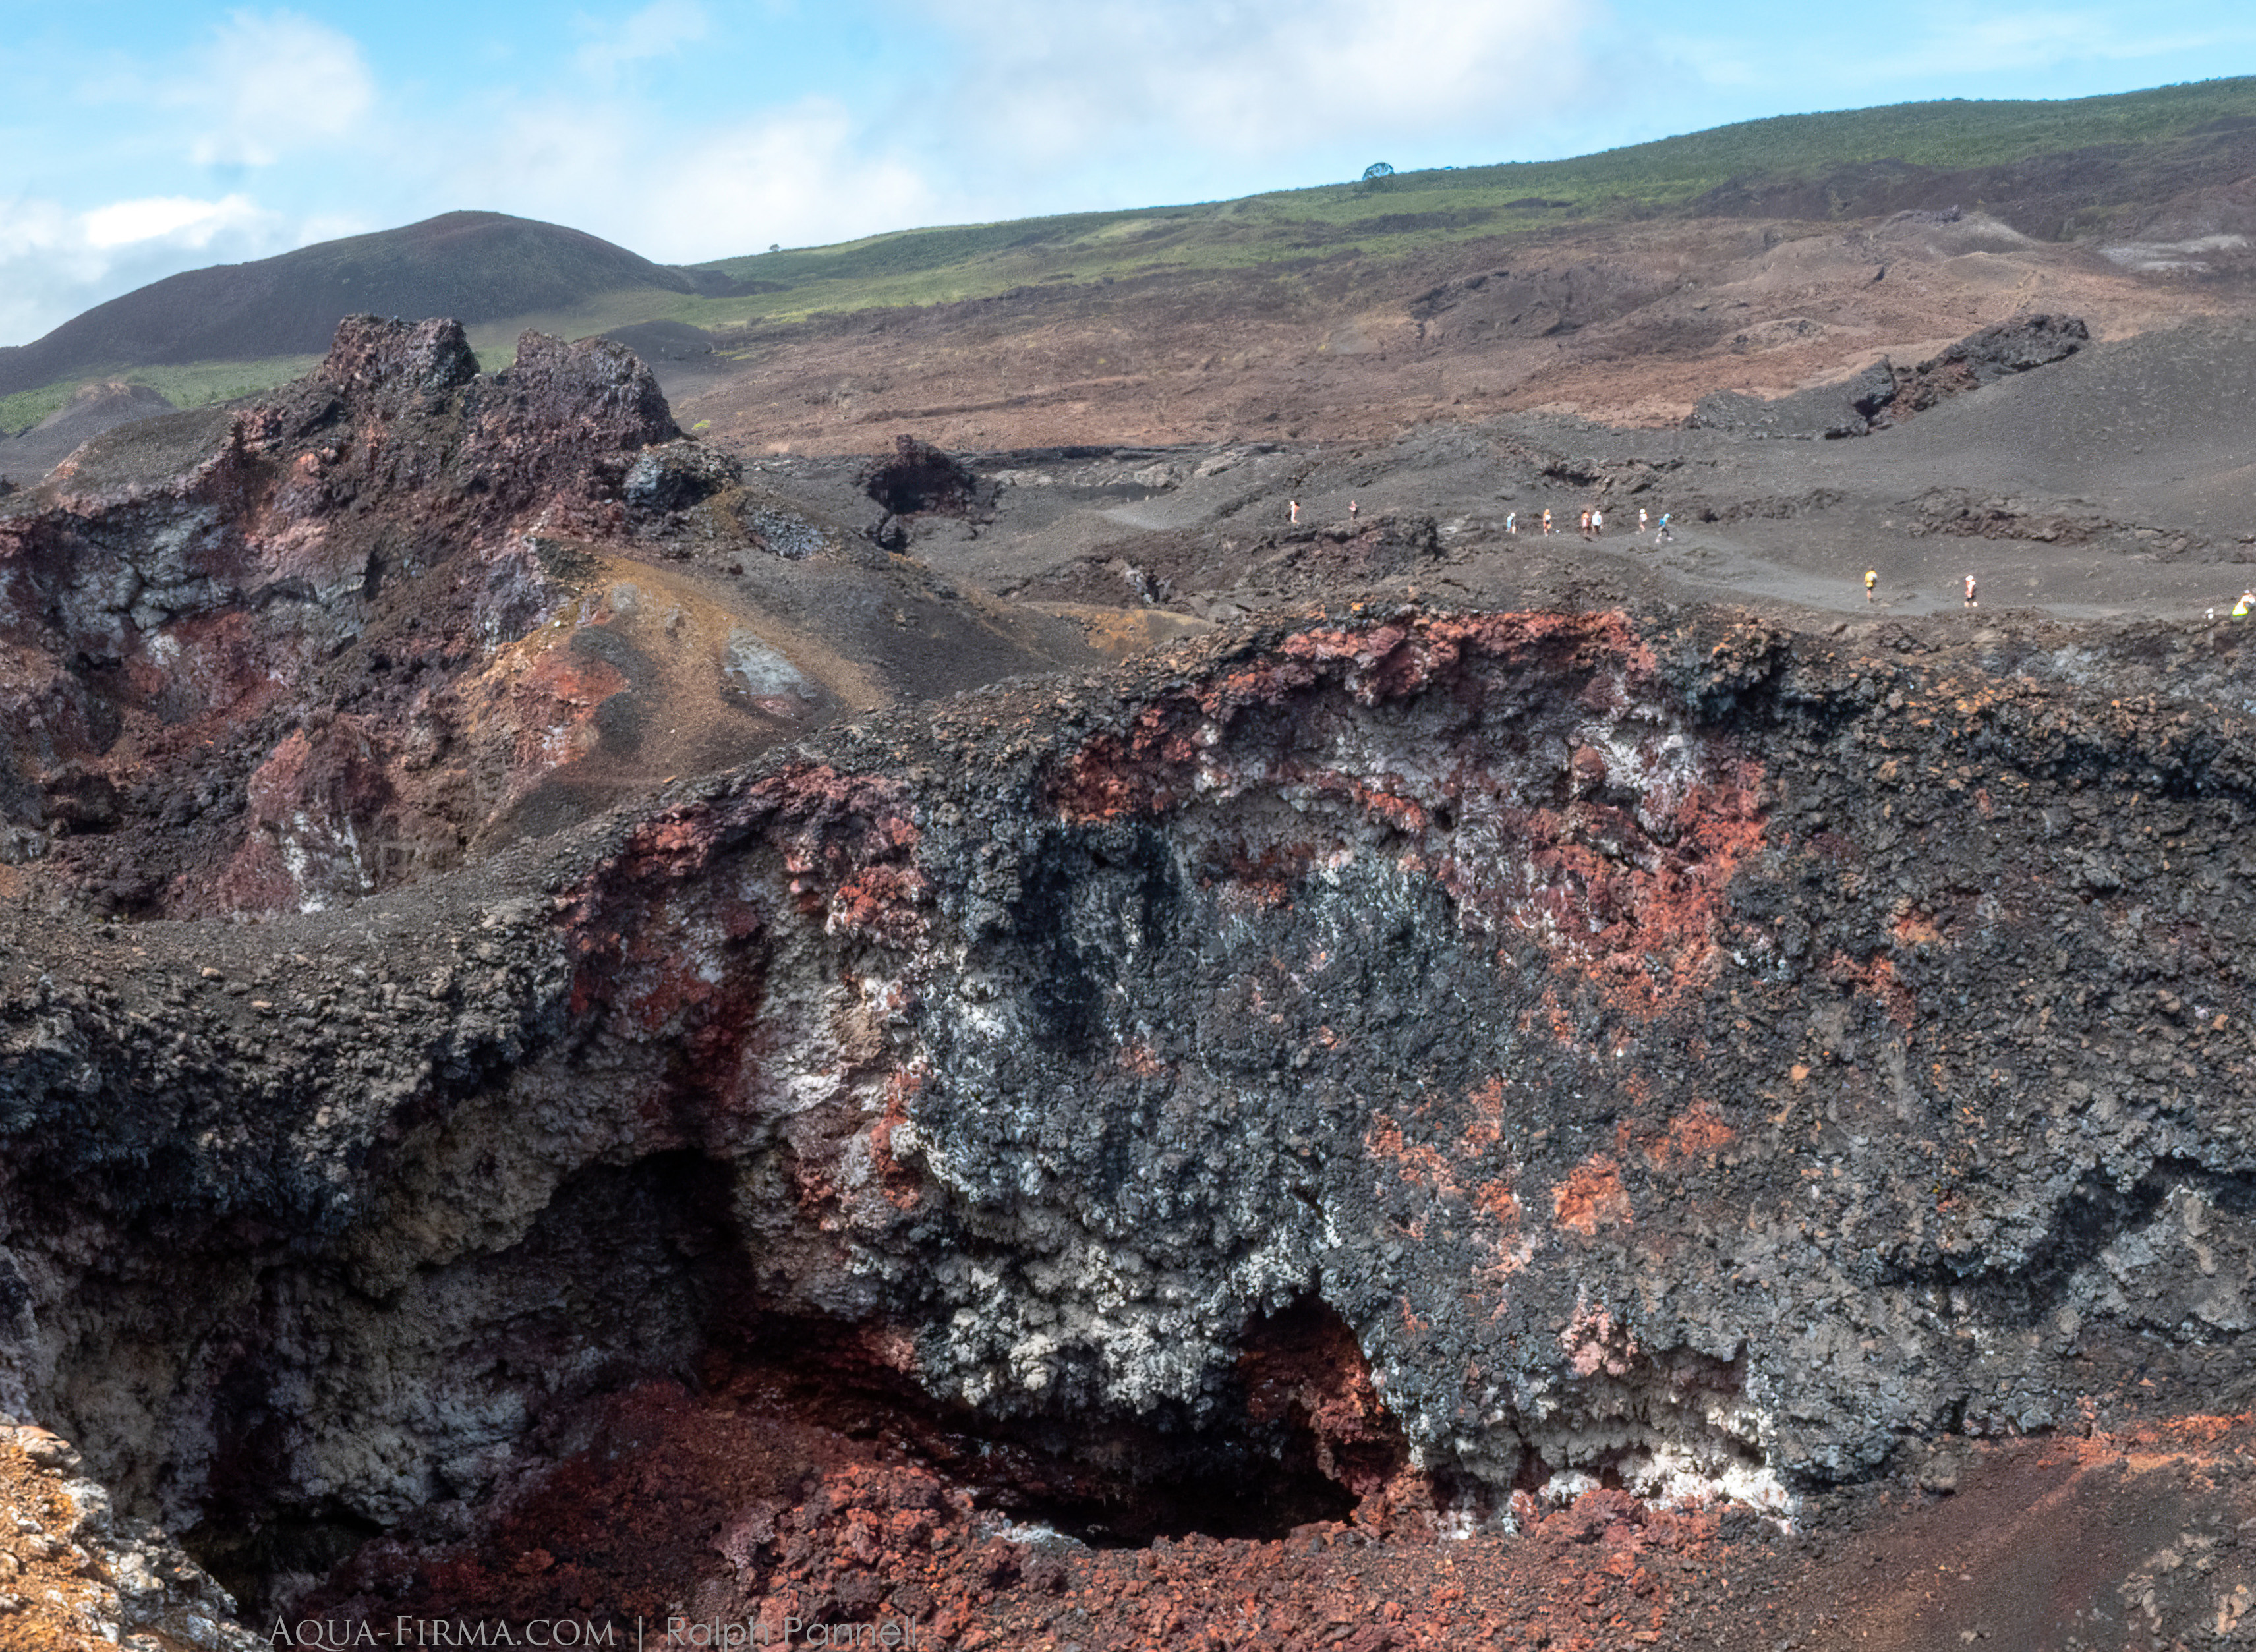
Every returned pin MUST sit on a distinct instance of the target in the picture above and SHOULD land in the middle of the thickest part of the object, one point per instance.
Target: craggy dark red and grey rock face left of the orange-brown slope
(191, 730)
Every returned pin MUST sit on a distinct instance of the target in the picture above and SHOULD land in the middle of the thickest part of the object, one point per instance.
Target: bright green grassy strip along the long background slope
(1404, 216)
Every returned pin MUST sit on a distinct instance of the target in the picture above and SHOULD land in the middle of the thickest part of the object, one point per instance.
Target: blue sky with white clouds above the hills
(141, 137)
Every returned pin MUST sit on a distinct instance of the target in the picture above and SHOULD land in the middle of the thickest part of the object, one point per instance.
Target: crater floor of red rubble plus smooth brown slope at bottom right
(797, 1497)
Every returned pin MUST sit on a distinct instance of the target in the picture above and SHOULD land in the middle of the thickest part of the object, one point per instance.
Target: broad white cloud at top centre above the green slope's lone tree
(1057, 82)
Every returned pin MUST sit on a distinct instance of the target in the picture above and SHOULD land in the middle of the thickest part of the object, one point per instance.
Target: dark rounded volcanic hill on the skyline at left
(466, 265)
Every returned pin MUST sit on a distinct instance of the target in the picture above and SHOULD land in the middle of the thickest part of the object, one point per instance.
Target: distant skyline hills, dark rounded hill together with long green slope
(211, 335)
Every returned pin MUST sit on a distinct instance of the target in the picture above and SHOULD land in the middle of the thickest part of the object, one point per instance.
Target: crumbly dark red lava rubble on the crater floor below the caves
(829, 1506)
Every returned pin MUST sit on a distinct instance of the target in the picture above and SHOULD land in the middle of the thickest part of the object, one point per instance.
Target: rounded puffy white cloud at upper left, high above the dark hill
(272, 85)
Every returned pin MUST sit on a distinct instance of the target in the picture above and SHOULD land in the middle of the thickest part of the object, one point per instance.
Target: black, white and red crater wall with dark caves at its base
(1452, 1064)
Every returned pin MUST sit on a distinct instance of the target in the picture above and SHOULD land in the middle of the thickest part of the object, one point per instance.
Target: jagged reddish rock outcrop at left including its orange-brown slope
(396, 613)
